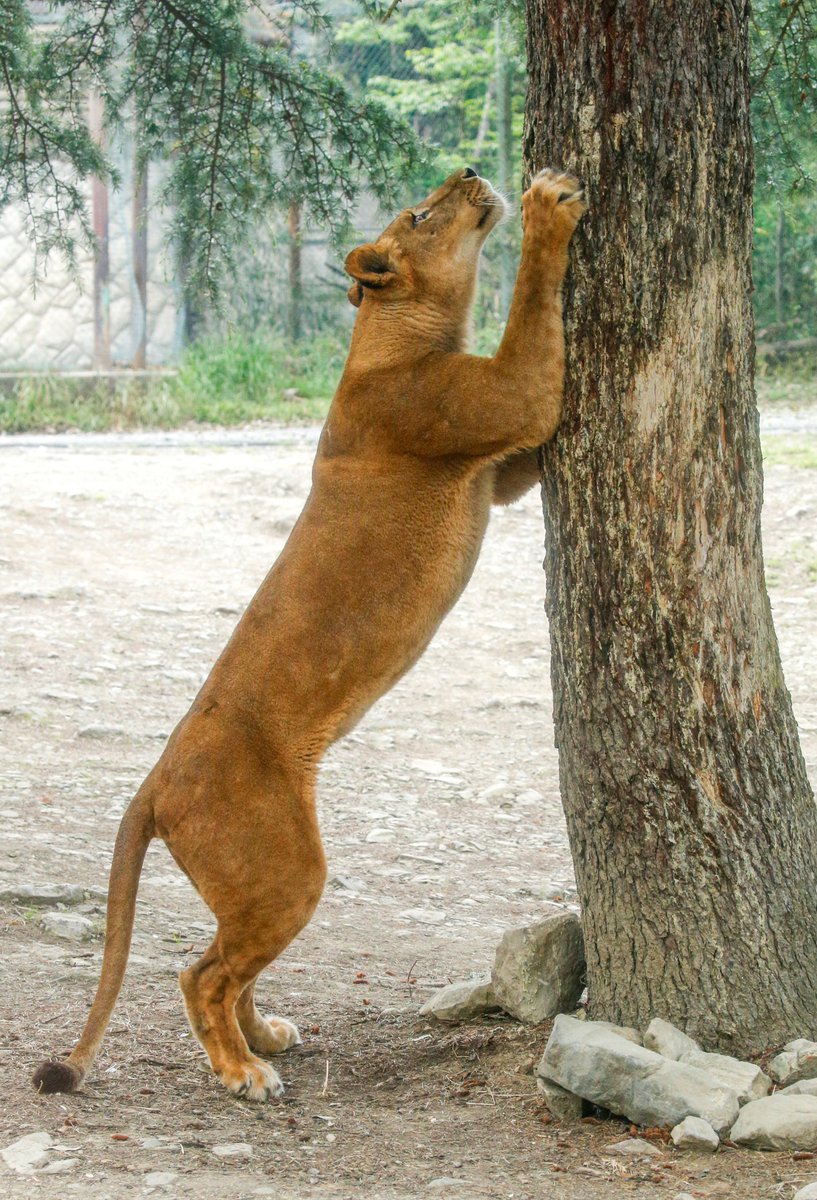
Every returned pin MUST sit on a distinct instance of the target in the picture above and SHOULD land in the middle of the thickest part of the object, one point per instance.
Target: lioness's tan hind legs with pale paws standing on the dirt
(260, 867)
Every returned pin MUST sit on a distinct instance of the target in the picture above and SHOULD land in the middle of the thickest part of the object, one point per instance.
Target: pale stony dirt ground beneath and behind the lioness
(124, 566)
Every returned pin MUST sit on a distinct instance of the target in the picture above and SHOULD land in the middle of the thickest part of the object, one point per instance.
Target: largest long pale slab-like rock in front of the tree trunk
(630, 1081)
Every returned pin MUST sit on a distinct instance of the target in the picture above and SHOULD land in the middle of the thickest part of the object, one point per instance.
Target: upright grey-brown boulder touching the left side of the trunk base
(539, 970)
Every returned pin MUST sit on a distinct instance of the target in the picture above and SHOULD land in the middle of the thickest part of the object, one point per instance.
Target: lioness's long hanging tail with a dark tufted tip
(133, 841)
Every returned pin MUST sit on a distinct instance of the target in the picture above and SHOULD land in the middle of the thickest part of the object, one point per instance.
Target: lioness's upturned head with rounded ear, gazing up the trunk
(430, 253)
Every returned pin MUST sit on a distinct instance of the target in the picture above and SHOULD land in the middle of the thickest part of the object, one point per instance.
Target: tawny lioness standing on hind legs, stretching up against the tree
(422, 437)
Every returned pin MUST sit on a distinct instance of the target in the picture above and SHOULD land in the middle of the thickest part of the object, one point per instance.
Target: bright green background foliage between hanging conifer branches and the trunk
(456, 73)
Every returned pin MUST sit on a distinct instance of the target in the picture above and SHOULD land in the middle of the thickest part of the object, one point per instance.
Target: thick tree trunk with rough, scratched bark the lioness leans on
(693, 826)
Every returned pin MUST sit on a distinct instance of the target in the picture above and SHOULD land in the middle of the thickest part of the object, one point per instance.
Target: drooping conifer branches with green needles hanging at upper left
(243, 119)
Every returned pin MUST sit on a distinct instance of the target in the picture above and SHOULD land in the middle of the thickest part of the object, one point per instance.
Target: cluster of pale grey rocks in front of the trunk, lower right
(671, 1082)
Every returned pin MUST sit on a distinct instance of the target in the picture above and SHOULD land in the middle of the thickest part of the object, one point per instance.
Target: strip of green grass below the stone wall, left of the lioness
(220, 382)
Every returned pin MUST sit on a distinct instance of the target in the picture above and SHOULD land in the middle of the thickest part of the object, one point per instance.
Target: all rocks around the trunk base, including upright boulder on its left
(663, 1078)
